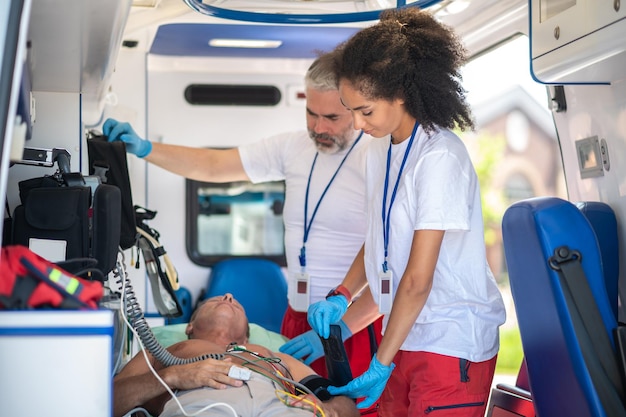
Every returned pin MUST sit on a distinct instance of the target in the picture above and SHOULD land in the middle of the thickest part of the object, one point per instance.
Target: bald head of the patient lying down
(220, 320)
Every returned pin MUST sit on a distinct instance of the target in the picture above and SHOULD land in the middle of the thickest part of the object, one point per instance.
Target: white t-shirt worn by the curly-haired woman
(438, 190)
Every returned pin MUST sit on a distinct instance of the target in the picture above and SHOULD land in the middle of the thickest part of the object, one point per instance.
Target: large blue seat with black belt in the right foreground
(561, 382)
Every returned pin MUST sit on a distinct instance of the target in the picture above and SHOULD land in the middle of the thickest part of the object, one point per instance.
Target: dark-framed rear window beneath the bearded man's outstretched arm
(237, 219)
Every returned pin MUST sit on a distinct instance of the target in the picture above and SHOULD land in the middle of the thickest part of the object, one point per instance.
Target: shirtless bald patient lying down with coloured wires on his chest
(269, 383)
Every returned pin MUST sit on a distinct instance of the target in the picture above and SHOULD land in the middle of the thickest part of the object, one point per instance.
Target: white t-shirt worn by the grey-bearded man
(338, 229)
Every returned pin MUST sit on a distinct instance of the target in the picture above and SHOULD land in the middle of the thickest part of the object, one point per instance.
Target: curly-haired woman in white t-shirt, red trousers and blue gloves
(424, 254)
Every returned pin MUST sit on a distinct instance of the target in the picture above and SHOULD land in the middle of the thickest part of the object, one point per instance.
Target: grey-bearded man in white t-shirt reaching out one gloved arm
(324, 212)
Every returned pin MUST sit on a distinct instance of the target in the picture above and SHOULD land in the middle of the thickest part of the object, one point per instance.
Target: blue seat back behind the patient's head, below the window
(258, 284)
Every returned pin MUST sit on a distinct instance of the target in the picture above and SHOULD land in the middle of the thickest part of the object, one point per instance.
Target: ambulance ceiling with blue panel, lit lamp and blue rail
(299, 29)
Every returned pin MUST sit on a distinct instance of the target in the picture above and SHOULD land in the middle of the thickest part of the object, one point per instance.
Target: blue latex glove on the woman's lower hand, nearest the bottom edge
(369, 385)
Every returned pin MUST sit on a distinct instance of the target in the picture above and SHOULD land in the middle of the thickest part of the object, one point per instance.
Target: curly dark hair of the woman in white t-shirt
(411, 56)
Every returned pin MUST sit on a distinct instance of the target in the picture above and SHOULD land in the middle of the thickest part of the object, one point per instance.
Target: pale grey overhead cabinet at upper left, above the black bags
(73, 47)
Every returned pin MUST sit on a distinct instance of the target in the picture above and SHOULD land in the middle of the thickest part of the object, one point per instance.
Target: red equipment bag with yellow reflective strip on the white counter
(28, 281)
